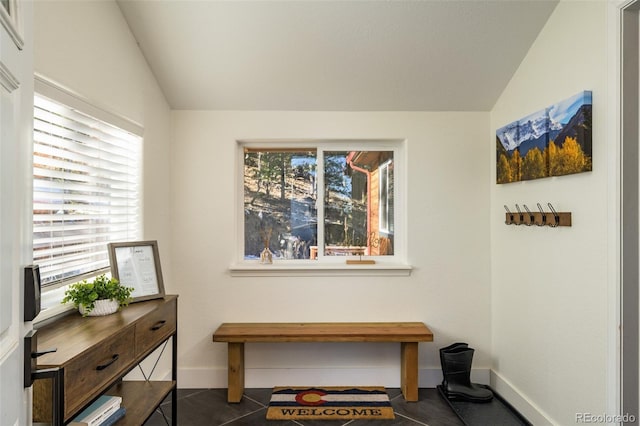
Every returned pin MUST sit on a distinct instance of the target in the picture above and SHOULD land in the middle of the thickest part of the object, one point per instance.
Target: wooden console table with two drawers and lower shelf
(94, 353)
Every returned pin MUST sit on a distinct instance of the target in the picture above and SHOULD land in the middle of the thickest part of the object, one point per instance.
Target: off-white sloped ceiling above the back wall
(432, 55)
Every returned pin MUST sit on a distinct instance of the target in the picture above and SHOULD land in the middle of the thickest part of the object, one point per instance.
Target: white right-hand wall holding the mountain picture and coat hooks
(550, 287)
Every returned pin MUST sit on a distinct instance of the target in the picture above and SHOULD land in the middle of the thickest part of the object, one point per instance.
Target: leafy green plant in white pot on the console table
(102, 296)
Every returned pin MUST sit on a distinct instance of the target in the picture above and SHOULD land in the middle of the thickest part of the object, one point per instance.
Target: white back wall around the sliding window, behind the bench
(448, 246)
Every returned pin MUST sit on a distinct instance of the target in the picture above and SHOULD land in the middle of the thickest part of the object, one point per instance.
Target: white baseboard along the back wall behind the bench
(203, 378)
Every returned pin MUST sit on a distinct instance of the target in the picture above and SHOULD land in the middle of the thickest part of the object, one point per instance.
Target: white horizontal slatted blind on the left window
(86, 191)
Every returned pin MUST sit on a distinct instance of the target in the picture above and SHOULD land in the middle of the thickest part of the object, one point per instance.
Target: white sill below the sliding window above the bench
(335, 270)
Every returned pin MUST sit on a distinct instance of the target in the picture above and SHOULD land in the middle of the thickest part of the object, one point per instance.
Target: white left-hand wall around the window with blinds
(87, 47)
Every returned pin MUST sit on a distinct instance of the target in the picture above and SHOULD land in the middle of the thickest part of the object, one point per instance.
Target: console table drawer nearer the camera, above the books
(88, 375)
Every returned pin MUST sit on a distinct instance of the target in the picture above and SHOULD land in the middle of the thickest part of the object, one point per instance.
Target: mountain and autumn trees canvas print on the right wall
(555, 141)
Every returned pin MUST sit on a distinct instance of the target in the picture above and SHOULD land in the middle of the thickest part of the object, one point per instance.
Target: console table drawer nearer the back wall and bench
(156, 327)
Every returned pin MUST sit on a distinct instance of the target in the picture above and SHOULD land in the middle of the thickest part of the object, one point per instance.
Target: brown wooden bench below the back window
(408, 334)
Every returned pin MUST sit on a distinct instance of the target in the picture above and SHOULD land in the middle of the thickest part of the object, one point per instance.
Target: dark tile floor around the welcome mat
(209, 407)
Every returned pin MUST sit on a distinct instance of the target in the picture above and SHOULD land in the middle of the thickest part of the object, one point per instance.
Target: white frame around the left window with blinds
(53, 294)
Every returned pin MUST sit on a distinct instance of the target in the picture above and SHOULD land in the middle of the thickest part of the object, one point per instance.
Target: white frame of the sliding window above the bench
(393, 265)
